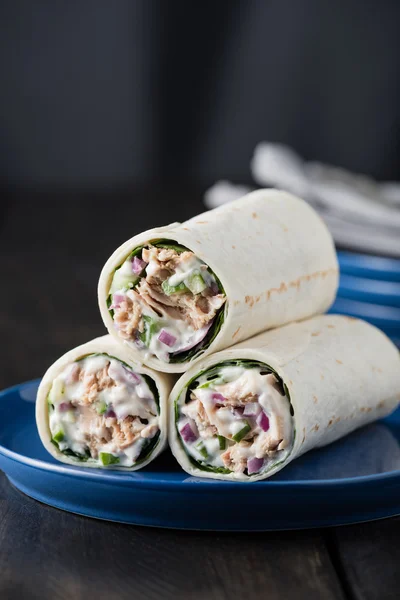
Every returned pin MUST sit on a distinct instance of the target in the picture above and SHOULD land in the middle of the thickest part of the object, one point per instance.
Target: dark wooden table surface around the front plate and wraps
(52, 247)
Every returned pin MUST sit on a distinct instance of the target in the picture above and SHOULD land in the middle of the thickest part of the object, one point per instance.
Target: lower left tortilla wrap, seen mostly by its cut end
(97, 408)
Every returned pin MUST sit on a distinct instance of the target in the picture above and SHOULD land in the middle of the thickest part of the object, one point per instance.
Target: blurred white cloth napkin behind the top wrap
(363, 215)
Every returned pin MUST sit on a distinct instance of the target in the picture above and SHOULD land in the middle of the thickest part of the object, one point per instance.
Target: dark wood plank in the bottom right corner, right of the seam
(368, 558)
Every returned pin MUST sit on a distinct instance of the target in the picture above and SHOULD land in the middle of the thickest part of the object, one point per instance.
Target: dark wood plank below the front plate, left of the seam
(49, 554)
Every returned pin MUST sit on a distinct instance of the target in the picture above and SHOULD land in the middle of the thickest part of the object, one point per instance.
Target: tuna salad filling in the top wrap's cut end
(166, 302)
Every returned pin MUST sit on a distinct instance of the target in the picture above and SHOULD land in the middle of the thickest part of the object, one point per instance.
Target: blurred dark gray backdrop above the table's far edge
(99, 93)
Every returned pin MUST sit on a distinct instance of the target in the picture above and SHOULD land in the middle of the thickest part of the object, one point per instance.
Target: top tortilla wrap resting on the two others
(260, 262)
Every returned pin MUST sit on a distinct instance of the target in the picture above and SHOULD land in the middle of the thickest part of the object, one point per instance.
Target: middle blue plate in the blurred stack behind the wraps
(374, 291)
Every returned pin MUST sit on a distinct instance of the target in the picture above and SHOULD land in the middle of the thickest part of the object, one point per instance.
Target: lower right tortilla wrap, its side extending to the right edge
(246, 412)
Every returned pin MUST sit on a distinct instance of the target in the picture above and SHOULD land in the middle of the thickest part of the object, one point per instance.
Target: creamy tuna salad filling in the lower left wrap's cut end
(100, 410)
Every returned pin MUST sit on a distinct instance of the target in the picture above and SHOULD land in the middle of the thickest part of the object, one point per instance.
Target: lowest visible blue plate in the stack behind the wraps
(385, 317)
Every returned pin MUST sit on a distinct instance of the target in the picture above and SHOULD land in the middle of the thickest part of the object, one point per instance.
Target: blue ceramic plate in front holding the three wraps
(355, 479)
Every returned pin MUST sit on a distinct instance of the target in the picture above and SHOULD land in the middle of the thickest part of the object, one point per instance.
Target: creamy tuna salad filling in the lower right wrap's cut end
(236, 417)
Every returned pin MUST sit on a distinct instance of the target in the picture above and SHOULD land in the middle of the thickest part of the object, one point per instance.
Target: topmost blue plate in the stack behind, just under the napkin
(365, 265)
